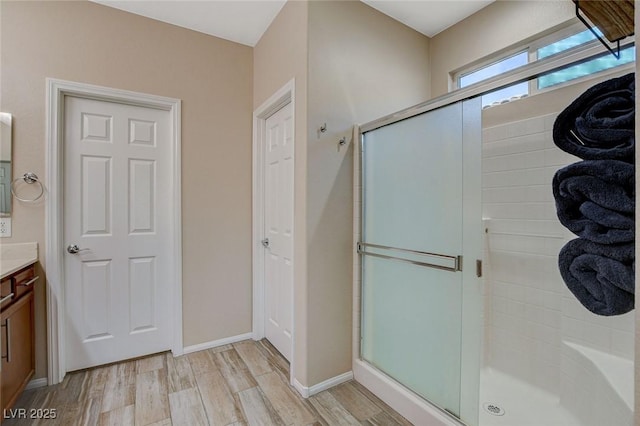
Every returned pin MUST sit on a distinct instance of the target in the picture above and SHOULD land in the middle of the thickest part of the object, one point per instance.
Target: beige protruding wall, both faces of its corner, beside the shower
(347, 84)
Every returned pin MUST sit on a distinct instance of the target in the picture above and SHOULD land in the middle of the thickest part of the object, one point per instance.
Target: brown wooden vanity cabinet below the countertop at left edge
(17, 336)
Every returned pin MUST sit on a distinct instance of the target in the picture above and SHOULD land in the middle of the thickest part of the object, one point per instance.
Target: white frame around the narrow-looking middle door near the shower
(284, 96)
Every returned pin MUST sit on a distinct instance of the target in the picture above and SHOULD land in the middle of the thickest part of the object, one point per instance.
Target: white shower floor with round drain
(523, 404)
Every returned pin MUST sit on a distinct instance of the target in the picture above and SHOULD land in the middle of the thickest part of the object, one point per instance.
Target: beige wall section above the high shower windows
(498, 26)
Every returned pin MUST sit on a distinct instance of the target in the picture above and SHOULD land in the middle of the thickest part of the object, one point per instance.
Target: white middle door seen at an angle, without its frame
(278, 224)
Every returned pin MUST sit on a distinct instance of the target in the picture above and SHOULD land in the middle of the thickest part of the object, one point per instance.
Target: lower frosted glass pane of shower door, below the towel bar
(411, 327)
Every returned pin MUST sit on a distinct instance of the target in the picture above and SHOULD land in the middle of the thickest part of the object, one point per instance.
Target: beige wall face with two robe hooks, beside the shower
(362, 66)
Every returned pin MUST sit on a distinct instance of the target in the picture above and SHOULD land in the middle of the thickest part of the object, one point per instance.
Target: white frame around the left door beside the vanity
(57, 90)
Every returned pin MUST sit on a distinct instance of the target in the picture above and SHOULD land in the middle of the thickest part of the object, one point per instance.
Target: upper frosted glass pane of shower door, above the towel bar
(413, 183)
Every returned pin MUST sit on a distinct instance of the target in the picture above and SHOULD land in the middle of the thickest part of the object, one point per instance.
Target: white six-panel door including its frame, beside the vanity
(115, 191)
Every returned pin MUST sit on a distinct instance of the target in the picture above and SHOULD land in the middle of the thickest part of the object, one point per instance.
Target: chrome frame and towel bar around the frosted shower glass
(471, 291)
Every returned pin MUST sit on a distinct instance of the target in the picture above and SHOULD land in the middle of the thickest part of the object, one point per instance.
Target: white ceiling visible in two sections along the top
(244, 21)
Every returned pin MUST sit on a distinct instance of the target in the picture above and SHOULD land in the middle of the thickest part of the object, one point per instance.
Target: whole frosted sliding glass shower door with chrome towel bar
(413, 235)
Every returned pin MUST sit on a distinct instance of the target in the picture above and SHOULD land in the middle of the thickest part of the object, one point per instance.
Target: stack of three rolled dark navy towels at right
(595, 198)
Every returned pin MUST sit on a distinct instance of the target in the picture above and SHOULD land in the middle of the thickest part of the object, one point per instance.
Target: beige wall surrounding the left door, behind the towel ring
(86, 42)
